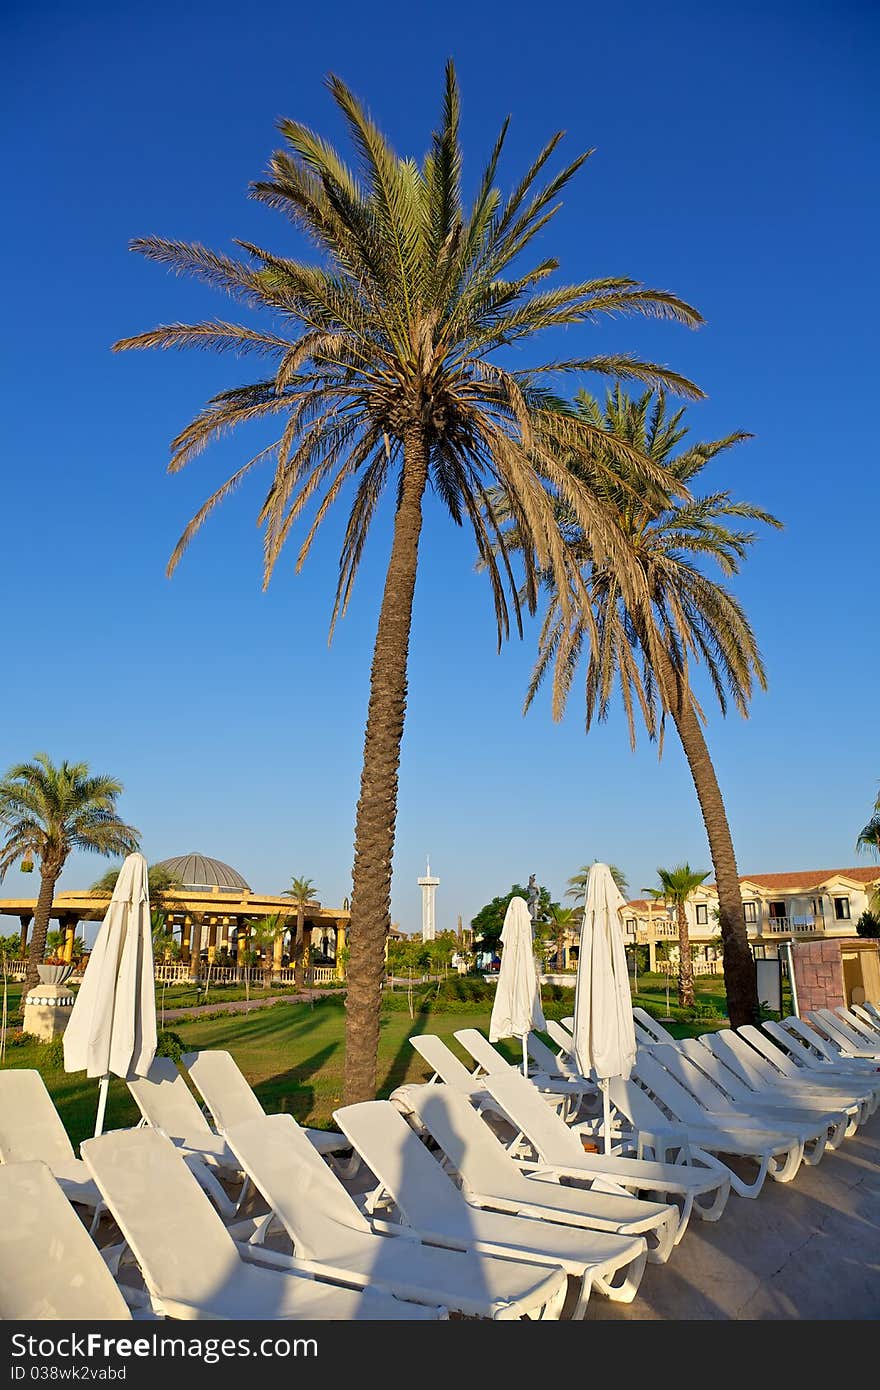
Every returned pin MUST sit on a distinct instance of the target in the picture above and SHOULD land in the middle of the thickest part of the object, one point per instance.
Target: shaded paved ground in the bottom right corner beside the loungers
(803, 1250)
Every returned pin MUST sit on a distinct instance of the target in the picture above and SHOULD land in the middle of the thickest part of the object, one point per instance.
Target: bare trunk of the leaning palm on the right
(740, 974)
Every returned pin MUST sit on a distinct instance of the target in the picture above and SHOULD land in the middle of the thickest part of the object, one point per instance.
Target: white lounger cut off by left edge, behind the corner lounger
(31, 1129)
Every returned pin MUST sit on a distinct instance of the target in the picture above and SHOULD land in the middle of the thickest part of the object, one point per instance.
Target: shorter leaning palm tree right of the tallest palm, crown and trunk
(646, 637)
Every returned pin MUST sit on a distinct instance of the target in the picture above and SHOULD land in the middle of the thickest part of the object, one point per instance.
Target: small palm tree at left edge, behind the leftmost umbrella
(47, 811)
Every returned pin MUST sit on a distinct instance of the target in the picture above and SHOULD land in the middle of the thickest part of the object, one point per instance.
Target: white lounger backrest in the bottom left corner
(49, 1266)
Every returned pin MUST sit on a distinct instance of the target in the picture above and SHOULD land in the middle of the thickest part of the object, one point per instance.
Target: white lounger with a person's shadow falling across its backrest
(426, 1199)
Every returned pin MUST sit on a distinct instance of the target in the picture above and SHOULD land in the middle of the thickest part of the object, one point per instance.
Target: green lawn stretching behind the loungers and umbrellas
(293, 1054)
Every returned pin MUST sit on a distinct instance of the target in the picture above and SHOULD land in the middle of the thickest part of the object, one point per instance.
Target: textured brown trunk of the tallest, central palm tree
(377, 808)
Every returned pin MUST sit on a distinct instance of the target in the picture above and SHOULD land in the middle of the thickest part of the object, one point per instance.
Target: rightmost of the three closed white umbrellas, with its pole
(604, 1031)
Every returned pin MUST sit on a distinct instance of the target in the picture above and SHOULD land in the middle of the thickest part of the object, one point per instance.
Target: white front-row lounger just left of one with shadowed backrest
(334, 1239)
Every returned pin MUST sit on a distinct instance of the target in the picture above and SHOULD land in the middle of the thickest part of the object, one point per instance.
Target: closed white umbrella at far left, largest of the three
(113, 1022)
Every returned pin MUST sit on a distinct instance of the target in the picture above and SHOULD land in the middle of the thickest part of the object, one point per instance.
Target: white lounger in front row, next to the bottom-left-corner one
(191, 1264)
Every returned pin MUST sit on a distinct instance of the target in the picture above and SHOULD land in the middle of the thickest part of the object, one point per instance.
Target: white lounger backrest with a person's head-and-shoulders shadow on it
(425, 1193)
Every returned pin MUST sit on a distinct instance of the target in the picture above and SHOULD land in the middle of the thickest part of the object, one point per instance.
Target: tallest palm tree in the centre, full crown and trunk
(383, 379)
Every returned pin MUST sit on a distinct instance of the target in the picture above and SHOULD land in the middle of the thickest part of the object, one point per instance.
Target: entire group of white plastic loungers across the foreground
(478, 1195)
